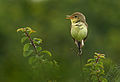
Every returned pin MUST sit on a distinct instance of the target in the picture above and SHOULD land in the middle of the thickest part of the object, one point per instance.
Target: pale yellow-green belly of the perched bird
(79, 33)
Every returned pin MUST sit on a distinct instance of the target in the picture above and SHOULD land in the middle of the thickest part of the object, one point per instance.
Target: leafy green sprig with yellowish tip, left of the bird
(32, 49)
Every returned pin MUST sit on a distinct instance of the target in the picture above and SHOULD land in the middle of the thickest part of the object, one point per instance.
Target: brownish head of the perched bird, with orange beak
(76, 17)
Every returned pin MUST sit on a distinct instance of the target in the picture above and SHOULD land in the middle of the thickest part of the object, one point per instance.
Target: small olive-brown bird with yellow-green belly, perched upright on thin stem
(79, 29)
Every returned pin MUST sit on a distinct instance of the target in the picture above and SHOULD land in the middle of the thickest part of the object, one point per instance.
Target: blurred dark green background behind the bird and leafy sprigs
(47, 17)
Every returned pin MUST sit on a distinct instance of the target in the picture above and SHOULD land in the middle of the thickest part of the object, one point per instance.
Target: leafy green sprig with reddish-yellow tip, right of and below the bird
(96, 68)
